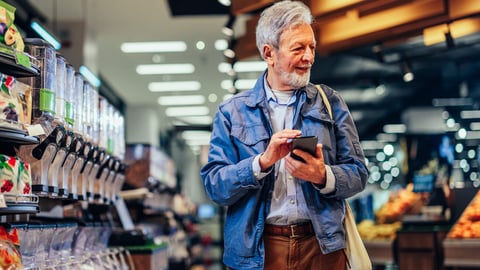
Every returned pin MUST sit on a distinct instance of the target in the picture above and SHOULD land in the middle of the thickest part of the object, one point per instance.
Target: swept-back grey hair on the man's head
(277, 18)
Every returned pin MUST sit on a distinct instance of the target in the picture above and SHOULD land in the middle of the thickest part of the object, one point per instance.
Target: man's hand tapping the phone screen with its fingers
(279, 147)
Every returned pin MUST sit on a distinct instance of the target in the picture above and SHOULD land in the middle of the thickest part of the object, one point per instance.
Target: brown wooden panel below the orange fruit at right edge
(461, 252)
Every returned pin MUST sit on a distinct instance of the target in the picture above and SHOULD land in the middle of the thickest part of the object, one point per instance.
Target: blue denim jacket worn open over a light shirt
(242, 130)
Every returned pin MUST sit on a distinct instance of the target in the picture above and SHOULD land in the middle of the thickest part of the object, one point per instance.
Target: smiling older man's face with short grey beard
(289, 66)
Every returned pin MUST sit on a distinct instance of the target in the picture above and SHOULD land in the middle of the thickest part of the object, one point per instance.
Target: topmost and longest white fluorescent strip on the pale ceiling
(148, 47)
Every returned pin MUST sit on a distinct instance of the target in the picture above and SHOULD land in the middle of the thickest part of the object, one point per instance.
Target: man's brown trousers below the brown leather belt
(285, 253)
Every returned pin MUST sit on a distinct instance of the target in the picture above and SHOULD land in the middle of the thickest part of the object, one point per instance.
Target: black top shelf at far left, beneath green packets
(17, 64)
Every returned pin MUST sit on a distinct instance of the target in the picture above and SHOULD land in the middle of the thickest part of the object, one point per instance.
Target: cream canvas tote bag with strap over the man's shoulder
(357, 255)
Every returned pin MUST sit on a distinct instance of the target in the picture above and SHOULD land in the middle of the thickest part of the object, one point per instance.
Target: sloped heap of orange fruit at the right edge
(468, 225)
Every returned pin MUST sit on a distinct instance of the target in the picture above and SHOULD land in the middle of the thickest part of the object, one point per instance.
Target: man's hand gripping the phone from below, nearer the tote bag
(312, 170)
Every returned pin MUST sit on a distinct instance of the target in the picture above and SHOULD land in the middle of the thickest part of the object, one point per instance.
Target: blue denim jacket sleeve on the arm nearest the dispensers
(226, 178)
